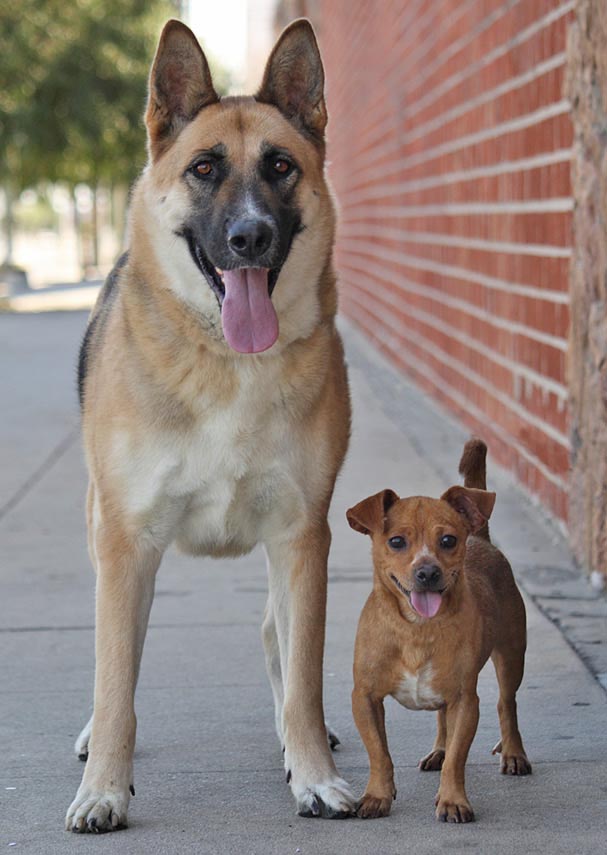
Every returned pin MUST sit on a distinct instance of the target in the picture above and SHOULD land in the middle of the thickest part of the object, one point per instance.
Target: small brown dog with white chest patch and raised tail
(444, 599)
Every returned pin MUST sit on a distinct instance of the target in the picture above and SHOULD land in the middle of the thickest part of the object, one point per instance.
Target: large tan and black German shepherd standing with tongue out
(214, 396)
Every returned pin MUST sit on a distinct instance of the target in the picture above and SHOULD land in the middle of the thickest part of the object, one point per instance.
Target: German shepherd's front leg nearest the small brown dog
(297, 572)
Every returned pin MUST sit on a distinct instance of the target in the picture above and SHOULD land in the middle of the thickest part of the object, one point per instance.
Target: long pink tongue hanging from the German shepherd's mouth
(248, 318)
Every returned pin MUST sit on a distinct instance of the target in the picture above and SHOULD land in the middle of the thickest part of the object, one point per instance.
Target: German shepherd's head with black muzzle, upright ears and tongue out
(233, 204)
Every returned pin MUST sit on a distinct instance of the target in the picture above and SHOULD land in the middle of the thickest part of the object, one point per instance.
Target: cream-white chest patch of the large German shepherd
(237, 476)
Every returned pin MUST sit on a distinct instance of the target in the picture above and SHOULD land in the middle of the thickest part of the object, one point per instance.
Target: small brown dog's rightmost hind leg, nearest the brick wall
(509, 665)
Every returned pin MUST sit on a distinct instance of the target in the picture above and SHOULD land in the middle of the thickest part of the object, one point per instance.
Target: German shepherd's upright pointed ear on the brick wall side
(294, 80)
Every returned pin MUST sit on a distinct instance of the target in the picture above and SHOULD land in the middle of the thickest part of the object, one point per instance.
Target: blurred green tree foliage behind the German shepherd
(73, 87)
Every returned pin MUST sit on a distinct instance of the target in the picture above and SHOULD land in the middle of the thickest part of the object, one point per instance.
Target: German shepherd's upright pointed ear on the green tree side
(180, 86)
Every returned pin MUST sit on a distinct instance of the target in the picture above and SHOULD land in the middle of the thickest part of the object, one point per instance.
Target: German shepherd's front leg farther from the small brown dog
(126, 570)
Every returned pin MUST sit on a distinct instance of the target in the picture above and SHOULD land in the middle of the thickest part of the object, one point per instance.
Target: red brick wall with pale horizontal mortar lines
(450, 141)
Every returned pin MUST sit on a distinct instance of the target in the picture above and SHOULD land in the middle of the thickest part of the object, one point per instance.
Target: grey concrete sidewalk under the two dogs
(208, 770)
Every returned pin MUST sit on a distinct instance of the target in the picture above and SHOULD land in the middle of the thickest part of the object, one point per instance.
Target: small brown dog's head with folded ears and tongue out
(419, 544)
